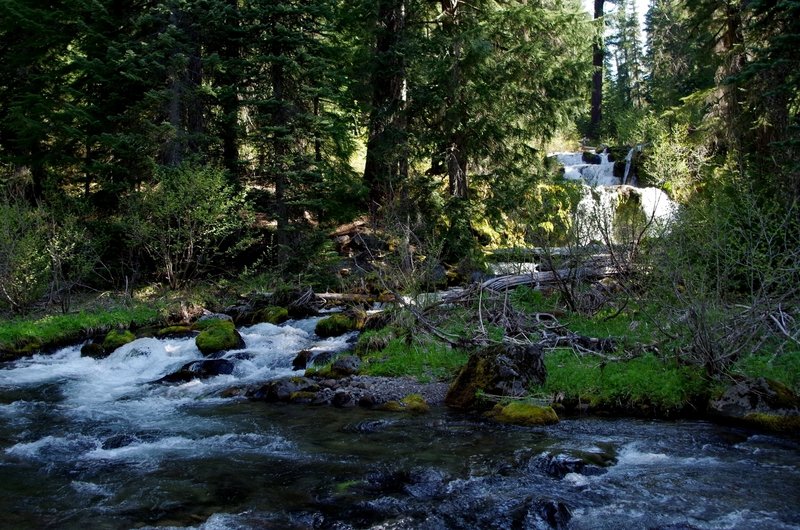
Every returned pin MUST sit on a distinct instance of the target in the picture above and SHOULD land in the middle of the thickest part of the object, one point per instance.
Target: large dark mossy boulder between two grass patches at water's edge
(500, 370)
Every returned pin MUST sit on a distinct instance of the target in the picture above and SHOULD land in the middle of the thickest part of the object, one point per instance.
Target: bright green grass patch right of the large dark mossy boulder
(645, 380)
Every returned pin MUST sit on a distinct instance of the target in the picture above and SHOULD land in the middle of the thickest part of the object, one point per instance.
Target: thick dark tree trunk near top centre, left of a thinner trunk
(387, 160)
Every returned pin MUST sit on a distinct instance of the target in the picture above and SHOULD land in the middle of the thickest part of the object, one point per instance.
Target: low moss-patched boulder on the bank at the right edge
(760, 403)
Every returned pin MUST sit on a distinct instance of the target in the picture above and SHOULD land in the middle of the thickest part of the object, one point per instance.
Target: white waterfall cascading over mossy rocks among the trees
(611, 208)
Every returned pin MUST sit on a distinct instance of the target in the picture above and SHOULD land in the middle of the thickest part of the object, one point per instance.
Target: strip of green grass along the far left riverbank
(58, 329)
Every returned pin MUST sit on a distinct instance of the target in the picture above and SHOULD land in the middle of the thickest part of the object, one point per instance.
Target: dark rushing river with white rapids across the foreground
(95, 444)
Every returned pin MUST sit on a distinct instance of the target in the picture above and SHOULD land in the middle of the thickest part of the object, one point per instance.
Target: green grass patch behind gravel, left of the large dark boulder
(427, 361)
